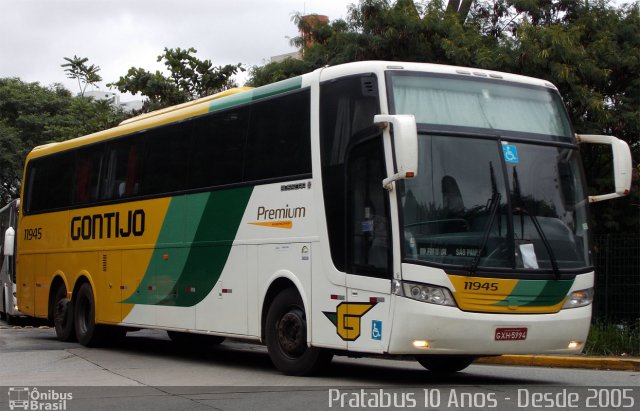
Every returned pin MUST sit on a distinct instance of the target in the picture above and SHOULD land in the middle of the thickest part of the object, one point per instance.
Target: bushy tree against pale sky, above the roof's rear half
(189, 78)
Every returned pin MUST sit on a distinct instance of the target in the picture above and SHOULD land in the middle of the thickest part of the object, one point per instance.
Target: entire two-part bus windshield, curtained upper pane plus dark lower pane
(487, 202)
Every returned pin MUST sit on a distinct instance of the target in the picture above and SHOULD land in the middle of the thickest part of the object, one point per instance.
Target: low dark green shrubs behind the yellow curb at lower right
(607, 339)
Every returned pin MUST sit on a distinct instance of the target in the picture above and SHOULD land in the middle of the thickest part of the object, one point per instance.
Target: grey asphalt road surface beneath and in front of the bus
(148, 371)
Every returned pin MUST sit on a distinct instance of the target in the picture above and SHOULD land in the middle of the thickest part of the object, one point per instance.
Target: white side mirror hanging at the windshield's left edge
(405, 145)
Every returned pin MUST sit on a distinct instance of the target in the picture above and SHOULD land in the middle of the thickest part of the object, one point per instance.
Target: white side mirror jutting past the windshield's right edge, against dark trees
(621, 164)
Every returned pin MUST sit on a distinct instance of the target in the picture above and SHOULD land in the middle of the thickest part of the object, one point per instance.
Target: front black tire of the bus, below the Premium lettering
(286, 337)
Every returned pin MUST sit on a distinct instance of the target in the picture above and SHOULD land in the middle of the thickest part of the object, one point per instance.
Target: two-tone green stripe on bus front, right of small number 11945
(537, 293)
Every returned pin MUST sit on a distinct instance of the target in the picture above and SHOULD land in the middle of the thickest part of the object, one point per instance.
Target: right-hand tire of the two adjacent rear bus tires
(84, 317)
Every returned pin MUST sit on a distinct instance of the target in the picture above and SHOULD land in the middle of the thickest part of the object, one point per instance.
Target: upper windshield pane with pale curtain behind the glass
(475, 103)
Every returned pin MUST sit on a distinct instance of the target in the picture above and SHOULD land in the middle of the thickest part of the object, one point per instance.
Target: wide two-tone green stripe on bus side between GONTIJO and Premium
(209, 223)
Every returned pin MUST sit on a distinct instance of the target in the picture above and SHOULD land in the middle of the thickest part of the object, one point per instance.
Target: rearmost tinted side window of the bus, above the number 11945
(49, 182)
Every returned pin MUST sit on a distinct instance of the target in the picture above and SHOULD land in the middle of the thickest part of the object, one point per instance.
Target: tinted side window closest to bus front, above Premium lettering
(279, 142)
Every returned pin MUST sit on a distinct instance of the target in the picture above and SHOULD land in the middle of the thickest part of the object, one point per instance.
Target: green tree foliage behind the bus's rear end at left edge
(32, 115)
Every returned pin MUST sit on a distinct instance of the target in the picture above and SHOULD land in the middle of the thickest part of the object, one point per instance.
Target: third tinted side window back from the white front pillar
(166, 163)
